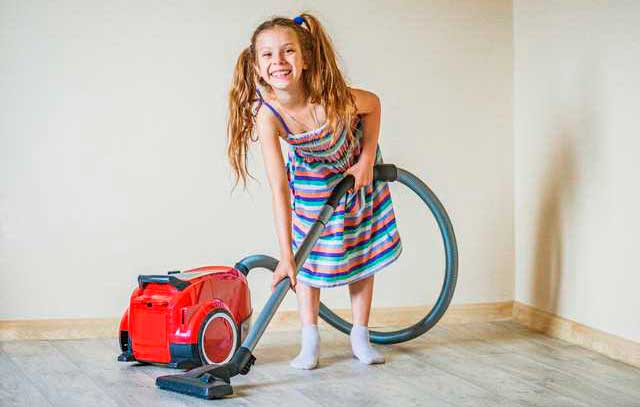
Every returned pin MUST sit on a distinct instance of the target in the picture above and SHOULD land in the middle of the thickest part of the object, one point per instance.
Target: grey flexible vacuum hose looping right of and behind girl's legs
(450, 272)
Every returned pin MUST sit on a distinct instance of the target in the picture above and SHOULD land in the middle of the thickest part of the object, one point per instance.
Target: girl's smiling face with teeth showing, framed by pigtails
(280, 58)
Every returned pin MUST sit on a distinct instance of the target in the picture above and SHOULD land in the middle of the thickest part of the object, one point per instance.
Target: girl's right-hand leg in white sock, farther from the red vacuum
(361, 294)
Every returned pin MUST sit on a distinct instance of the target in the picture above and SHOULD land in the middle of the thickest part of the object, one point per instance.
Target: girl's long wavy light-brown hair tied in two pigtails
(323, 82)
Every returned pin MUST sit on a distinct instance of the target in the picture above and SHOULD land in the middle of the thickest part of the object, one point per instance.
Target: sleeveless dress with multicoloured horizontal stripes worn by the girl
(361, 237)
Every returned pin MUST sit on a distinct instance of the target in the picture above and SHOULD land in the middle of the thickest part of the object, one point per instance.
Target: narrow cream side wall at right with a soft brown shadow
(577, 128)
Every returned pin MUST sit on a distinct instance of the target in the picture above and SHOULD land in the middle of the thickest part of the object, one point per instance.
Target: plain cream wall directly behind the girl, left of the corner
(112, 145)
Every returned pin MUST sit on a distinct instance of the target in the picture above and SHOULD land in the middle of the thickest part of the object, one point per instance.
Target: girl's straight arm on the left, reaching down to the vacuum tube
(268, 129)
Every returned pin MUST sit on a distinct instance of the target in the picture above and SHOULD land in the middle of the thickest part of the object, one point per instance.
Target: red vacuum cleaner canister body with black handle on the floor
(186, 319)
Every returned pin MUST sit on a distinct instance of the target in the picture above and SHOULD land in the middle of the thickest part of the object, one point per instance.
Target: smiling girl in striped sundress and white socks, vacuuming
(287, 86)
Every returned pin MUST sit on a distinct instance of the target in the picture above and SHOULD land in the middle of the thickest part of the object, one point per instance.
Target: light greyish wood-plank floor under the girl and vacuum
(489, 364)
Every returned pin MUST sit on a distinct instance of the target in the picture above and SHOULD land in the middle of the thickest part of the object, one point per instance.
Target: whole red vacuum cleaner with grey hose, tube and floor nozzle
(202, 317)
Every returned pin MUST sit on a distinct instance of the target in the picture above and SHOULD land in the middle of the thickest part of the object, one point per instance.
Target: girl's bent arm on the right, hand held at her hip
(368, 107)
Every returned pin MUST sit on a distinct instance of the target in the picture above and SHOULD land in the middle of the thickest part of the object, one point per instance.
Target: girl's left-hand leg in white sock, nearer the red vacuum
(308, 307)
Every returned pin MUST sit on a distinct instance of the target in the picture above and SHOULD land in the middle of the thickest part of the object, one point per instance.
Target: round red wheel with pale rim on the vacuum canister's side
(218, 339)
